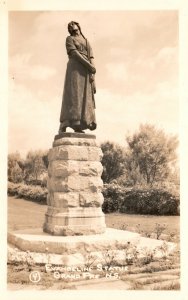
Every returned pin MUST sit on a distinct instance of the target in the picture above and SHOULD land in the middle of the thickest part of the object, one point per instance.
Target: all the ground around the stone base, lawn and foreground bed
(148, 274)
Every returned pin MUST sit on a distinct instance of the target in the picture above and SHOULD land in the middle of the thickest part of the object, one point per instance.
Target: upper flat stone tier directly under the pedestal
(37, 240)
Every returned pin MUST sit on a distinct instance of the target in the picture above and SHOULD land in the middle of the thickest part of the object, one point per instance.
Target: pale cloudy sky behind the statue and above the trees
(136, 57)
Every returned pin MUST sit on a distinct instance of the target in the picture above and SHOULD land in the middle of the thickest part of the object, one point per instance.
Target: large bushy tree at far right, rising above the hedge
(152, 152)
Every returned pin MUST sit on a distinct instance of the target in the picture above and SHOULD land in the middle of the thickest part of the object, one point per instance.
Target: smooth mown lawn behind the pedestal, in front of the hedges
(24, 214)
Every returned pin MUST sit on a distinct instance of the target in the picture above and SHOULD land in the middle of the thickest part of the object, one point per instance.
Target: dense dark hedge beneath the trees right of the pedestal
(139, 201)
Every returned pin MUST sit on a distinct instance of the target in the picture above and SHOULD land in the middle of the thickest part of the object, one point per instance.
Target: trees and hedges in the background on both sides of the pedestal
(140, 177)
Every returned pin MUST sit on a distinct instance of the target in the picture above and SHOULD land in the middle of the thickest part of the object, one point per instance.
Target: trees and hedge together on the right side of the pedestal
(142, 177)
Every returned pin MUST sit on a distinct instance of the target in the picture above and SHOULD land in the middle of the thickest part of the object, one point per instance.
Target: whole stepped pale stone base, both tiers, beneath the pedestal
(79, 250)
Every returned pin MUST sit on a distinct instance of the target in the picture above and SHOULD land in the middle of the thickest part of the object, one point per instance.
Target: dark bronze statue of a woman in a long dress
(78, 103)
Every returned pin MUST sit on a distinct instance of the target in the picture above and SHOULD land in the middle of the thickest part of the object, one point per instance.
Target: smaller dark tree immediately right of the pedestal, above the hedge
(112, 161)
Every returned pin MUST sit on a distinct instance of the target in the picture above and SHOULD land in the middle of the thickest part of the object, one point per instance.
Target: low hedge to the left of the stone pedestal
(29, 192)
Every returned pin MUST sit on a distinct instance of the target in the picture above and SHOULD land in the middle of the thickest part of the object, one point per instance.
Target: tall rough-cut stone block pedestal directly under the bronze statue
(74, 186)
